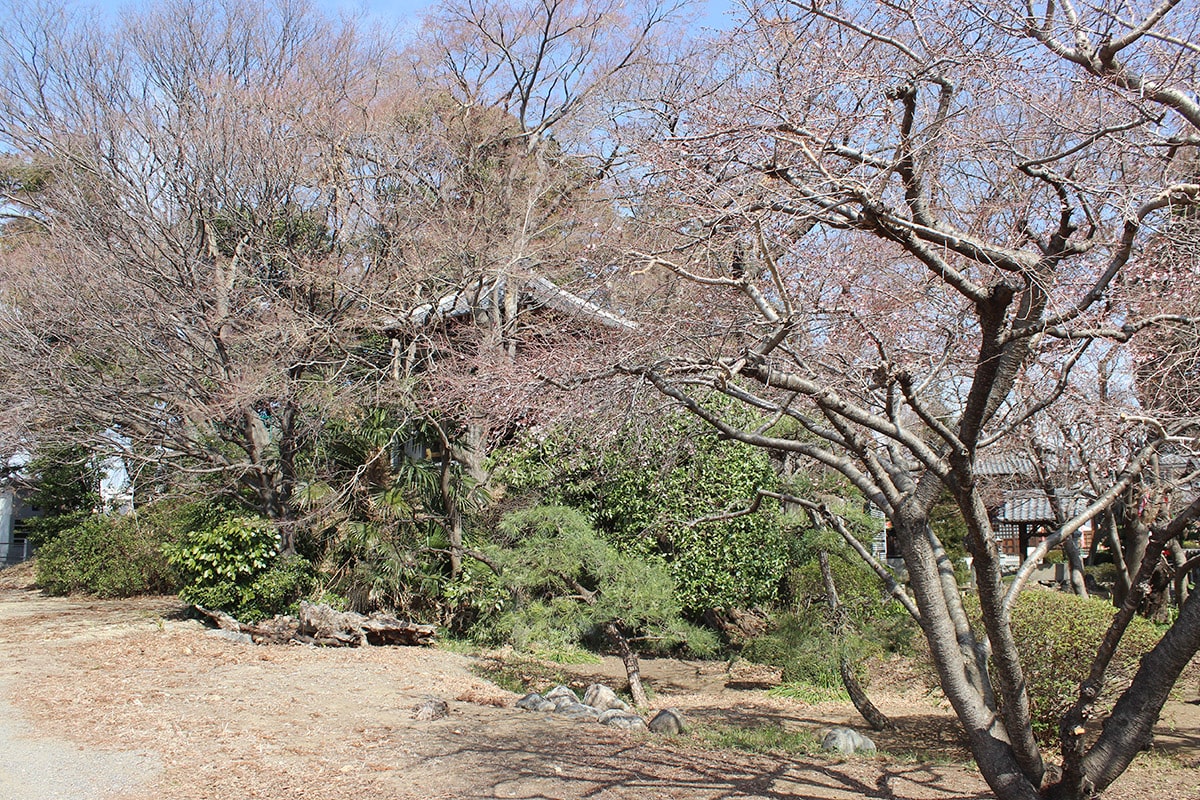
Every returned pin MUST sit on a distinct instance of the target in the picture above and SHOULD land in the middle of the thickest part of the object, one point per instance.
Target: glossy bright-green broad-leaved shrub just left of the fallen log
(235, 567)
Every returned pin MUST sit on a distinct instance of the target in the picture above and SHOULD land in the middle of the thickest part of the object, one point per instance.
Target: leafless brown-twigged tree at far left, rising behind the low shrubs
(181, 280)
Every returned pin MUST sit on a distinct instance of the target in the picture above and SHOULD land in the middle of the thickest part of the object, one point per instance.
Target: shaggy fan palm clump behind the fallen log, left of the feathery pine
(383, 540)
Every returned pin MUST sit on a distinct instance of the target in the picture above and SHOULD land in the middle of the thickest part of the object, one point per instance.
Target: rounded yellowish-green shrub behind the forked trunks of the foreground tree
(1058, 636)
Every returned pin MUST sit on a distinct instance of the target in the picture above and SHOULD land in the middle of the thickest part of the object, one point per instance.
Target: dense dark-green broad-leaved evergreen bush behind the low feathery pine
(645, 490)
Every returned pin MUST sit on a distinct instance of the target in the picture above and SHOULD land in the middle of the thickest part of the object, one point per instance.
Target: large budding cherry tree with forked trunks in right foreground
(904, 212)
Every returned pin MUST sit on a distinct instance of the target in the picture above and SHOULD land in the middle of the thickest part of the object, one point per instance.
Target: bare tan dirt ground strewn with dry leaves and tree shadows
(129, 701)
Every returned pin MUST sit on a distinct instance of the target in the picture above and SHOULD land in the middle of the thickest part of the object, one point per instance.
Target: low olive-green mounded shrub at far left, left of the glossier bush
(107, 557)
